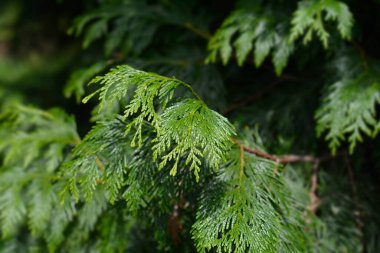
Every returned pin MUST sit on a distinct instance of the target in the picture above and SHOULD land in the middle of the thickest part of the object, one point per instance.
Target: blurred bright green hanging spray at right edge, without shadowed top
(349, 109)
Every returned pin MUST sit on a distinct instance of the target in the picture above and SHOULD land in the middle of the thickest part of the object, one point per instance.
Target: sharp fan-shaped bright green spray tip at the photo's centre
(197, 131)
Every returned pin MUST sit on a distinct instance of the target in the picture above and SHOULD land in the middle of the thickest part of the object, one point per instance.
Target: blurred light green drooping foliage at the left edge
(34, 145)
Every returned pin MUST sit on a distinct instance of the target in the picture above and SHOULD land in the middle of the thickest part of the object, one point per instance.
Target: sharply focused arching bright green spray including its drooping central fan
(183, 129)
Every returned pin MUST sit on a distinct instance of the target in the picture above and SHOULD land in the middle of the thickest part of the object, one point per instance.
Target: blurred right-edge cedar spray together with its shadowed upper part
(348, 110)
